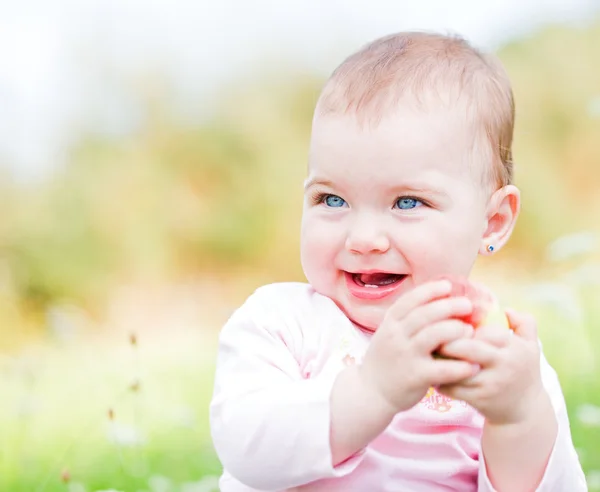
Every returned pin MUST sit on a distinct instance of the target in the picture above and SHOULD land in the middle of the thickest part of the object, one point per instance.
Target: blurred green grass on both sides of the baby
(56, 404)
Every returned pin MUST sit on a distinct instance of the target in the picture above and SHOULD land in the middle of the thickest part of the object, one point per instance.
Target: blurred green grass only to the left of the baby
(110, 414)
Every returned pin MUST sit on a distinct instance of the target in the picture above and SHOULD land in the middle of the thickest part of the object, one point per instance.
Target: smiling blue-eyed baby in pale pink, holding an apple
(332, 385)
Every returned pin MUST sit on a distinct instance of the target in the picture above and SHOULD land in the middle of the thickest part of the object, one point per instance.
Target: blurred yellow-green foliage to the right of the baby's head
(557, 91)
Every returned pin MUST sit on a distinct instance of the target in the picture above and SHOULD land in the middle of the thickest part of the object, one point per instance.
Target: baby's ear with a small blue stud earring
(501, 217)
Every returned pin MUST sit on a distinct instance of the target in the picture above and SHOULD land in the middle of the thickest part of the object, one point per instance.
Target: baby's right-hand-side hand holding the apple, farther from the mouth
(508, 388)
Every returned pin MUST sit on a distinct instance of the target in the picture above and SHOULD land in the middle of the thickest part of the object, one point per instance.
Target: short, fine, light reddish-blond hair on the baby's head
(370, 83)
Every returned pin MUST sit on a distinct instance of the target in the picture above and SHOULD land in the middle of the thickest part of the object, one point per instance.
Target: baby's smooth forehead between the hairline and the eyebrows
(411, 146)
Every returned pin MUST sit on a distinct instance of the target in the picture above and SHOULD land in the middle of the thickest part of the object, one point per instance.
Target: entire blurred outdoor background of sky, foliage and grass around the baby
(152, 155)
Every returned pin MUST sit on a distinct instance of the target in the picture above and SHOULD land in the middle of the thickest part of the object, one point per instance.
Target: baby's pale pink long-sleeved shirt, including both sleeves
(278, 357)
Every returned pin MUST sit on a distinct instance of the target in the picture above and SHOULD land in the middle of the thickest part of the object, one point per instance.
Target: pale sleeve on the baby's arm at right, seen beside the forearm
(563, 471)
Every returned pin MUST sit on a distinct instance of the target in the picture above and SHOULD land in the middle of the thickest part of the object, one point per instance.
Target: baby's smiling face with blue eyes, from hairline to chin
(390, 207)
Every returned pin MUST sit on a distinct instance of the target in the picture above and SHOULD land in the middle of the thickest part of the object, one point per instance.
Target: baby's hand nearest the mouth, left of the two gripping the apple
(398, 365)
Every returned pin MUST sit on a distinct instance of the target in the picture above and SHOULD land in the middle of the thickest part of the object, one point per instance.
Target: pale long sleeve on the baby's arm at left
(270, 426)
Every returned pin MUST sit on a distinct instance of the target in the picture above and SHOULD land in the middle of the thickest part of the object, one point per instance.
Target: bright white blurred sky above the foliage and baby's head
(65, 64)
